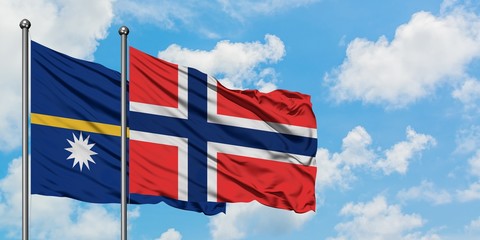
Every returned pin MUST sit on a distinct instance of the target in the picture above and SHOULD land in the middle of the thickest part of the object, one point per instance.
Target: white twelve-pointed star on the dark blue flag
(81, 151)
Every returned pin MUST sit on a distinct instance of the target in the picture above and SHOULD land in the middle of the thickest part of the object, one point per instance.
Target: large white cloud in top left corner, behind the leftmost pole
(73, 27)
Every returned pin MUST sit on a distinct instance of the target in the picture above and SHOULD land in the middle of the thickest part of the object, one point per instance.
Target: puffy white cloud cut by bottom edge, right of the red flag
(379, 220)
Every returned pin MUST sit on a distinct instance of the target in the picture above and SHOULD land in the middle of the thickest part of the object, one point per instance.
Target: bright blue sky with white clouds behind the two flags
(395, 88)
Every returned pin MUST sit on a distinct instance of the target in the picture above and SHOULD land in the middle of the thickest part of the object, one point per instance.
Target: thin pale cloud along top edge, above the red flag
(243, 9)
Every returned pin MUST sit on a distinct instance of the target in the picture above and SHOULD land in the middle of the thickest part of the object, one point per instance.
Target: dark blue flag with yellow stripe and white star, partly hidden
(75, 132)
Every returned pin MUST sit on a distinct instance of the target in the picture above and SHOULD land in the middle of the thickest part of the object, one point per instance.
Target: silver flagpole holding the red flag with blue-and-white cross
(123, 31)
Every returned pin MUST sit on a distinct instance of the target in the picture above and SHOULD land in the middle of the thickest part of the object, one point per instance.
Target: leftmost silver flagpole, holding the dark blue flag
(25, 26)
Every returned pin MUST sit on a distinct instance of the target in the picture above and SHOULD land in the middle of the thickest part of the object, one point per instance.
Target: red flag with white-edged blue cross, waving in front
(192, 139)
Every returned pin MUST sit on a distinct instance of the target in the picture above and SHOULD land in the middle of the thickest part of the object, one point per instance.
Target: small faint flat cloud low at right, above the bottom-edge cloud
(425, 191)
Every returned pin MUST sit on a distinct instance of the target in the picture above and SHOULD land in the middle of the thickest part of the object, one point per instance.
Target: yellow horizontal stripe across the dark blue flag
(75, 124)
